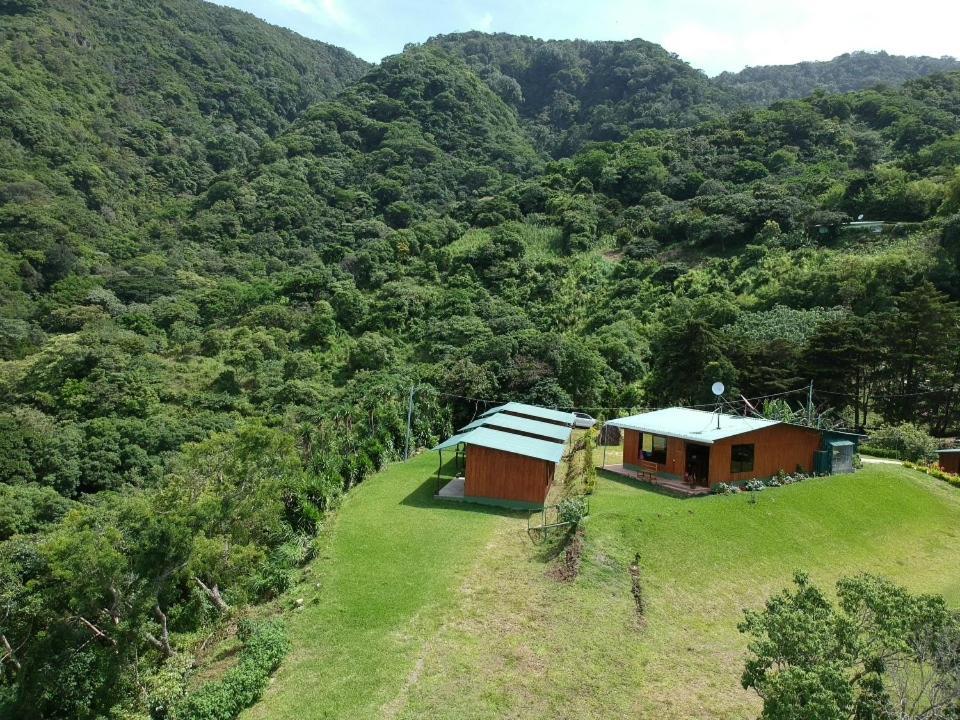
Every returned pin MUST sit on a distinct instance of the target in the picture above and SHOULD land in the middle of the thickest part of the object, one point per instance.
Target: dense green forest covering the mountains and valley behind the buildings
(227, 253)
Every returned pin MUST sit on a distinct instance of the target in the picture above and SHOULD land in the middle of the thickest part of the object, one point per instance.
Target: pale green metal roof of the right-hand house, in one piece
(694, 425)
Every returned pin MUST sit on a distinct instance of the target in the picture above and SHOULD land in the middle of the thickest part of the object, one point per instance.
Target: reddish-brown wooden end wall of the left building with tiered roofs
(505, 476)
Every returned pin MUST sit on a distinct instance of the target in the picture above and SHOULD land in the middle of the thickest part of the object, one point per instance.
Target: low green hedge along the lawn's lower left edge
(265, 646)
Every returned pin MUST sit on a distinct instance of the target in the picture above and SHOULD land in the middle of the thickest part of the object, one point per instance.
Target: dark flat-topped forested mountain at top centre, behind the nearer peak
(571, 91)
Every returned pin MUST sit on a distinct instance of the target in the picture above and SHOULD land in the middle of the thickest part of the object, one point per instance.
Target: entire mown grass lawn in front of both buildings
(472, 626)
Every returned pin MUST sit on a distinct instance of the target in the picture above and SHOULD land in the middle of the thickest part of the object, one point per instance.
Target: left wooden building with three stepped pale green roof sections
(507, 458)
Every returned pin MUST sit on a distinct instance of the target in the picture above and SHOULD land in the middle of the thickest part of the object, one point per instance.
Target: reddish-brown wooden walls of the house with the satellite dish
(775, 447)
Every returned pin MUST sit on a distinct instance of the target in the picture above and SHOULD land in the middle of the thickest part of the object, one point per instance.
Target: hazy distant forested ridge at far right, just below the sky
(765, 84)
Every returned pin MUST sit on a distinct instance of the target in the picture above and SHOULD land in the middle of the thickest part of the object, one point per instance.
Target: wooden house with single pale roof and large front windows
(703, 448)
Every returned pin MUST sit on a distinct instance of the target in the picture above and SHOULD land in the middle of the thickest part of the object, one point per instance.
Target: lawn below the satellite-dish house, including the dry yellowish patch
(518, 644)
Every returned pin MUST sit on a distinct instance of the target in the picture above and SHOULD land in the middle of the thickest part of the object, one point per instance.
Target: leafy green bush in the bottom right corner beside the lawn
(882, 652)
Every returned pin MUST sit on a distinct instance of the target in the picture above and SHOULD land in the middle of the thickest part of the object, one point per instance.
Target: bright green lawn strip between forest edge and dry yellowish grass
(390, 574)
